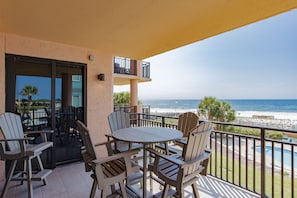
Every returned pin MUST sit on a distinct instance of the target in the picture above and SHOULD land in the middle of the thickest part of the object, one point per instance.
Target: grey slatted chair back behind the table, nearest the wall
(118, 120)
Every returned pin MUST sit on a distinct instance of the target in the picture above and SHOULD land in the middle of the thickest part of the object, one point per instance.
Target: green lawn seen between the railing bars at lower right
(248, 174)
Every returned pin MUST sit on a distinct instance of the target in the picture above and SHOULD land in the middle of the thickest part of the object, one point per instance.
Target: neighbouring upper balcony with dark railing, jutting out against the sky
(126, 69)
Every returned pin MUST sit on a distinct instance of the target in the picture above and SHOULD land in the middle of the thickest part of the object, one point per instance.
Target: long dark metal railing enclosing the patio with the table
(255, 162)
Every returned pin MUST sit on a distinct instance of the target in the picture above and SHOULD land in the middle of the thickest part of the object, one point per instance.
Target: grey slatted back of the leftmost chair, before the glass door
(11, 126)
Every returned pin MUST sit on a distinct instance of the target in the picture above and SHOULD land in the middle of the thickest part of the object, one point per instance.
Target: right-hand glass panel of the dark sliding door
(68, 108)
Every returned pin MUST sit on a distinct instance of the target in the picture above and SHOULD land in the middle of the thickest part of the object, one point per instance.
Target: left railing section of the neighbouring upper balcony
(125, 66)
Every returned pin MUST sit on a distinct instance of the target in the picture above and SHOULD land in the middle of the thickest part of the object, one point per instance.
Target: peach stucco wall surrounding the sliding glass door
(99, 93)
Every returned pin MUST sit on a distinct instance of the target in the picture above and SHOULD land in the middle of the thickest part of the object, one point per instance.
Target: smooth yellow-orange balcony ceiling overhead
(132, 28)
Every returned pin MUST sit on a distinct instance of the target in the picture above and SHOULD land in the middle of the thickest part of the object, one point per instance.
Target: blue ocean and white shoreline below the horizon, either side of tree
(280, 109)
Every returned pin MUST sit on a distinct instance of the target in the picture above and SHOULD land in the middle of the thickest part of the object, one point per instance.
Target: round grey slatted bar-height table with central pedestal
(146, 136)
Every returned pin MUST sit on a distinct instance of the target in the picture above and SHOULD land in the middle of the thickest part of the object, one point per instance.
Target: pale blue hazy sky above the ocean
(258, 61)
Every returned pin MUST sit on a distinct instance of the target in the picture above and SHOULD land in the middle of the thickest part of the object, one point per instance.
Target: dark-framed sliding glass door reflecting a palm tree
(48, 94)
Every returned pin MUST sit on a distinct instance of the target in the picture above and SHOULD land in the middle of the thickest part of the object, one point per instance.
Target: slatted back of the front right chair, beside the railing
(197, 141)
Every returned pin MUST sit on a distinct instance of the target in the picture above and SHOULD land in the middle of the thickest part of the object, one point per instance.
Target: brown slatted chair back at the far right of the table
(186, 122)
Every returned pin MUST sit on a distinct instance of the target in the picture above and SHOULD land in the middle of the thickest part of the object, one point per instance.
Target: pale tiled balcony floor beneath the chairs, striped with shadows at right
(71, 181)
